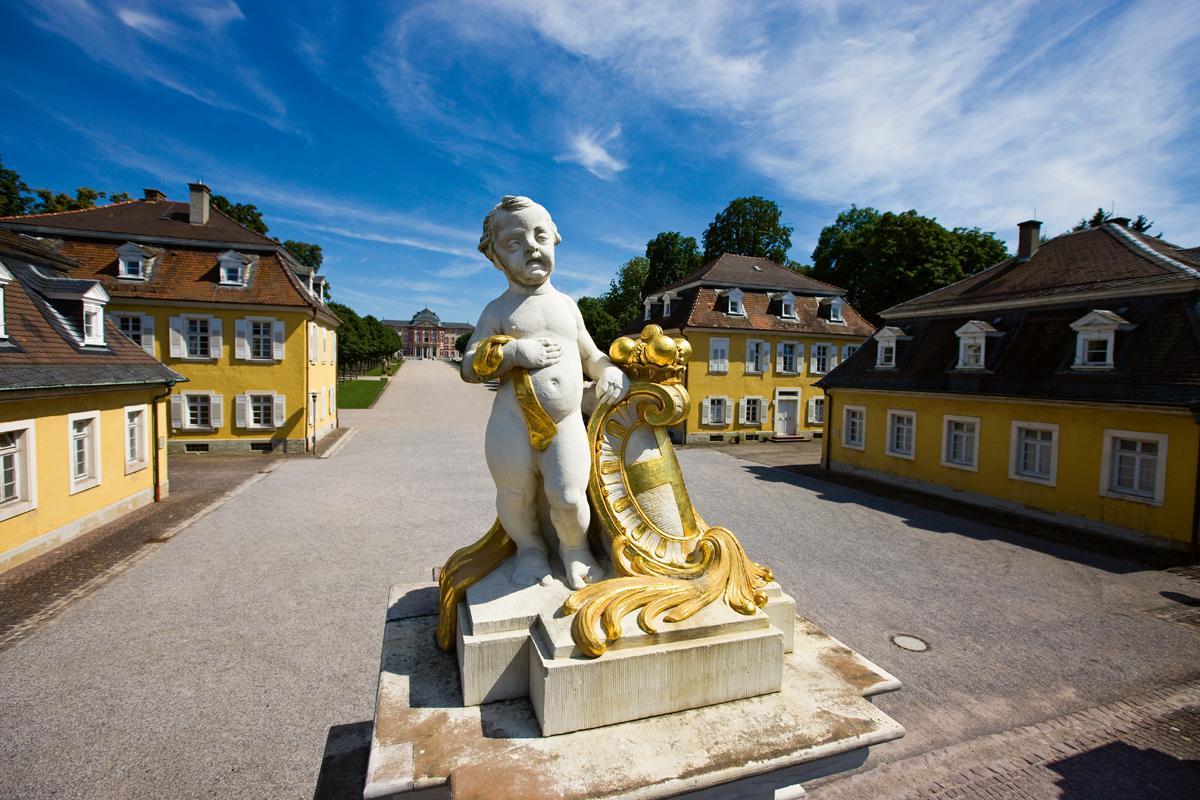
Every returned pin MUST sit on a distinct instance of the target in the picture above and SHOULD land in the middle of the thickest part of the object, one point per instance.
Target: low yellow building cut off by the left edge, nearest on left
(83, 411)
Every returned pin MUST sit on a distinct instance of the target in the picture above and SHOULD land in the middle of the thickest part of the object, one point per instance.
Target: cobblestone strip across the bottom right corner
(1147, 747)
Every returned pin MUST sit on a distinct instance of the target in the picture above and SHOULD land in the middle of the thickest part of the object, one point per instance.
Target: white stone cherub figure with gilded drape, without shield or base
(535, 340)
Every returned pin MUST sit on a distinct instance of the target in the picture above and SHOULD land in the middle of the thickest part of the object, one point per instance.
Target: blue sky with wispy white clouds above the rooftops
(386, 133)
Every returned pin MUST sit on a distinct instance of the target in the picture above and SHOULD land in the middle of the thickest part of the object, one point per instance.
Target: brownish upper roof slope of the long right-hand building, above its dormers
(1108, 258)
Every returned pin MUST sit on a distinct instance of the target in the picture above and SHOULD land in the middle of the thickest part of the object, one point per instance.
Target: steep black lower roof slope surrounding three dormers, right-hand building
(1157, 363)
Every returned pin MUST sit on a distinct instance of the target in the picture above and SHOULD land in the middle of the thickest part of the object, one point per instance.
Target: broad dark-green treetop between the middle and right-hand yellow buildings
(883, 260)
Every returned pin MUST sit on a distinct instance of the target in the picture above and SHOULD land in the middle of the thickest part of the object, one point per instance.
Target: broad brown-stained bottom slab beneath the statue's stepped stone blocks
(428, 744)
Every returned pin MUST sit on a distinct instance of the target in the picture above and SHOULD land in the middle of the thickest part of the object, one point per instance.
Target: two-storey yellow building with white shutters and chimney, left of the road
(225, 306)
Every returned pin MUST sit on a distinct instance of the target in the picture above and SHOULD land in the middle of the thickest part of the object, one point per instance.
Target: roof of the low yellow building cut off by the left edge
(45, 350)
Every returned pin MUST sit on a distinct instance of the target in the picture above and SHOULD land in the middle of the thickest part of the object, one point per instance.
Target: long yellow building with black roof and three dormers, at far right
(1063, 384)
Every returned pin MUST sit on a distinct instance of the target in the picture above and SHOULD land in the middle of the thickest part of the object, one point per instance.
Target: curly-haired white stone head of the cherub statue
(520, 238)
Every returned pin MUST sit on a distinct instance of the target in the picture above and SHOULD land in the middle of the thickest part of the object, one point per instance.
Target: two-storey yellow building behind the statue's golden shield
(761, 338)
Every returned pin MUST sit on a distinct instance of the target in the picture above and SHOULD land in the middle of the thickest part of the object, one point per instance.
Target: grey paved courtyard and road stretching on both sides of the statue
(232, 659)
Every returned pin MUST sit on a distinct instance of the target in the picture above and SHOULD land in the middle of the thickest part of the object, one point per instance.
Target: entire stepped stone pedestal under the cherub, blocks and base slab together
(429, 743)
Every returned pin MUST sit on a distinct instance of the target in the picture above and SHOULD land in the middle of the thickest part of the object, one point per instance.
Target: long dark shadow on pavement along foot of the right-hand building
(946, 516)
